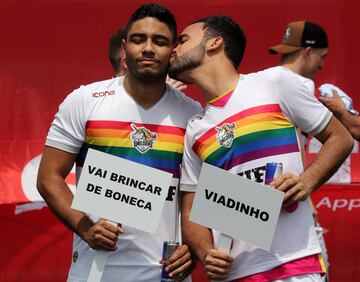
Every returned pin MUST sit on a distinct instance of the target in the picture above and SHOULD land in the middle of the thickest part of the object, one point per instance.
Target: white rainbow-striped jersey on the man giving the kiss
(256, 125)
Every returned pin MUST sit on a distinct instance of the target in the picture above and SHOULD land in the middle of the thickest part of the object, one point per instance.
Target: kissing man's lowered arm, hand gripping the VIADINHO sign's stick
(217, 263)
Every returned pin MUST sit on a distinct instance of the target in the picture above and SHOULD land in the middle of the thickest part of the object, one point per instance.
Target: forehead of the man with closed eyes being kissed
(150, 25)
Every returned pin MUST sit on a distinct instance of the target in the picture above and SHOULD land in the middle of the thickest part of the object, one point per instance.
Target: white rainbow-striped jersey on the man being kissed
(104, 116)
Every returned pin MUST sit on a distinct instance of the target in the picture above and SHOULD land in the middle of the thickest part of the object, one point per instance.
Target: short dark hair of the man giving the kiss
(232, 34)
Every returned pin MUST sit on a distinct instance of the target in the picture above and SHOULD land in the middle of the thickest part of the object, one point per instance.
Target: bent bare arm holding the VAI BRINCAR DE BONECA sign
(54, 167)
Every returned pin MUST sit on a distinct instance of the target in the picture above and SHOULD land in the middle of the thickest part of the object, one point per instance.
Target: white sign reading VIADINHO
(235, 206)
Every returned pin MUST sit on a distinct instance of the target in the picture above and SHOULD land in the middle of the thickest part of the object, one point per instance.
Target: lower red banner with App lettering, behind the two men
(40, 248)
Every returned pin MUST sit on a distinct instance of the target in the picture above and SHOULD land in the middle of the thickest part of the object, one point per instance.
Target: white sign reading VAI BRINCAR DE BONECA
(122, 191)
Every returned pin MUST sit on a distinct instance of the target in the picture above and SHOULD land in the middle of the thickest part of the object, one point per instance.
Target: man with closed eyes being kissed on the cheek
(105, 115)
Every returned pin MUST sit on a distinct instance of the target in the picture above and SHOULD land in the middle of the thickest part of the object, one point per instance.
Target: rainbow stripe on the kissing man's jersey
(258, 132)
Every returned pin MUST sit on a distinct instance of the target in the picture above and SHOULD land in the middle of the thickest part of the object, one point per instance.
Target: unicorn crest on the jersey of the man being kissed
(142, 138)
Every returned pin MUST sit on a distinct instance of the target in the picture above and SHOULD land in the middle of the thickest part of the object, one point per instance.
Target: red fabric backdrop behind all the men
(49, 48)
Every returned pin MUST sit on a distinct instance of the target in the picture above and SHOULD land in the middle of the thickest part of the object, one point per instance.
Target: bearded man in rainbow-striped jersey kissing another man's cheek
(263, 111)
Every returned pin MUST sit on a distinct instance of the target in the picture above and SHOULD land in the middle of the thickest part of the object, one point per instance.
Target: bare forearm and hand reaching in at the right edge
(336, 105)
